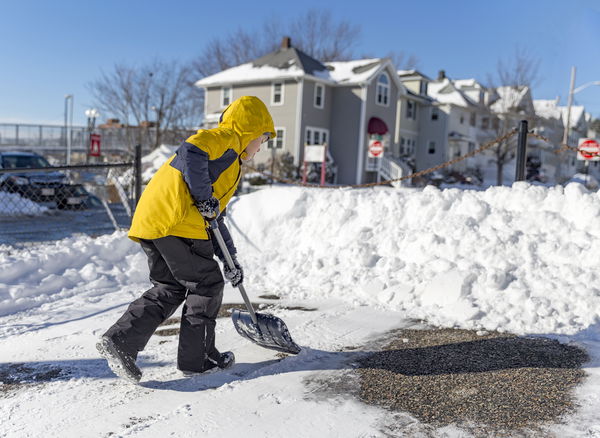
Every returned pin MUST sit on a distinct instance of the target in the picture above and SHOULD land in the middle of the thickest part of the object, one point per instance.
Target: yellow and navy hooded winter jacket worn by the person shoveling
(206, 164)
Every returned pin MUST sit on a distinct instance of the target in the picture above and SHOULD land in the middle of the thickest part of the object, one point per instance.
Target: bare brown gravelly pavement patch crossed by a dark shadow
(489, 383)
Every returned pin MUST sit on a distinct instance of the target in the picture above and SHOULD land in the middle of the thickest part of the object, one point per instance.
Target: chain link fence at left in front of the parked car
(41, 203)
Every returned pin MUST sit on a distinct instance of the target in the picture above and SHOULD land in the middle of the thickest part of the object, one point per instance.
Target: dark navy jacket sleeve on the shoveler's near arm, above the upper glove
(192, 162)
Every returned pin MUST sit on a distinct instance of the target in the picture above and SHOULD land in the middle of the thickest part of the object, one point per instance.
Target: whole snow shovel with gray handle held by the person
(263, 329)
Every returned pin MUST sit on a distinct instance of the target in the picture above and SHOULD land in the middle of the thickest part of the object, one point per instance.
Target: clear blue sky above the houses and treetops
(53, 48)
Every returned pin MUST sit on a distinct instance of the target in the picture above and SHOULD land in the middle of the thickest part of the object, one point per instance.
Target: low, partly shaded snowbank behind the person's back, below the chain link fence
(29, 278)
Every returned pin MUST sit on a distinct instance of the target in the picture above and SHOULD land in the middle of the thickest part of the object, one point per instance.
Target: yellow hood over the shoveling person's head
(249, 118)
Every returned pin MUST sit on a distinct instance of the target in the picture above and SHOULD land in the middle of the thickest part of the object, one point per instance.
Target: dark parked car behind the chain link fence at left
(39, 186)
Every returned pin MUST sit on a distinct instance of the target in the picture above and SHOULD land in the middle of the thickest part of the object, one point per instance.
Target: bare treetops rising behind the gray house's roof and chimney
(316, 33)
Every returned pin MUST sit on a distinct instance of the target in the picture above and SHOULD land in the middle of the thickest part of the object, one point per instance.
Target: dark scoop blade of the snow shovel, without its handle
(269, 331)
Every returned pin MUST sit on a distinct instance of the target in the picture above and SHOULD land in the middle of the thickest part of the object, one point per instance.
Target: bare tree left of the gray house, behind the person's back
(159, 95)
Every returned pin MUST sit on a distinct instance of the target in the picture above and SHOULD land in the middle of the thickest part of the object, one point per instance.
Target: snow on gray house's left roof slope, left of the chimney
(248, 72)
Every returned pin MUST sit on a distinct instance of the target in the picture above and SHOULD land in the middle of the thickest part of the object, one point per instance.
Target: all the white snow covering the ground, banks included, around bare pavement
(522, 259)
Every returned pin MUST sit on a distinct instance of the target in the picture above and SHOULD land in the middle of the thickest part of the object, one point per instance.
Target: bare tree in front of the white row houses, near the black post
(513, 77)
